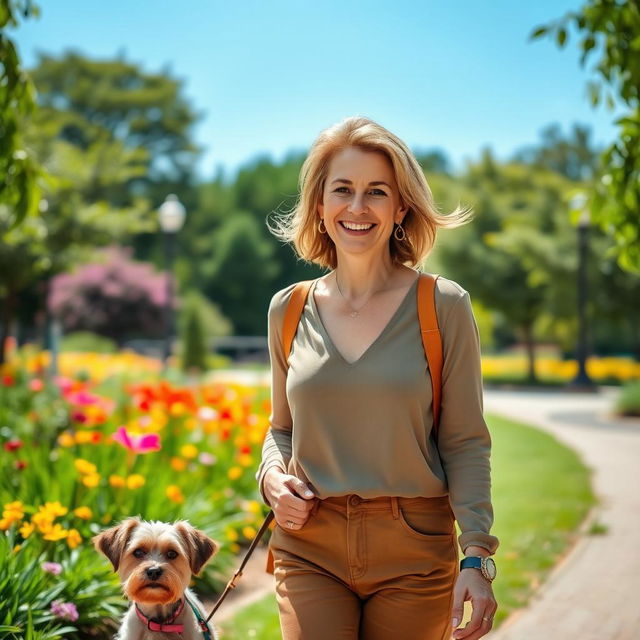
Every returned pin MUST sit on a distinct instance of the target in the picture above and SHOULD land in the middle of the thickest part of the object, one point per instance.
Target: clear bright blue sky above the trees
(269, 76)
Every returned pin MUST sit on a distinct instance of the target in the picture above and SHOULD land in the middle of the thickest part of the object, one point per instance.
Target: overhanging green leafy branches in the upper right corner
(610, 28)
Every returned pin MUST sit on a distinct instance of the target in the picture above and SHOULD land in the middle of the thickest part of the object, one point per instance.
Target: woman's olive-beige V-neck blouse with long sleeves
(366, 427)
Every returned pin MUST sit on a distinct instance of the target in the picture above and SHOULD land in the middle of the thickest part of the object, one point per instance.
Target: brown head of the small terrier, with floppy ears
(155, 560)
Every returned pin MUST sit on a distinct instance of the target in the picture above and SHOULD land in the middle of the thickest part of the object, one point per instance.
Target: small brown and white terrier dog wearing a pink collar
(155, 562)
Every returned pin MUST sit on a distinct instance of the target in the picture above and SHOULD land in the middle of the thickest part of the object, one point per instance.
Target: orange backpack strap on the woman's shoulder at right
(431, 339)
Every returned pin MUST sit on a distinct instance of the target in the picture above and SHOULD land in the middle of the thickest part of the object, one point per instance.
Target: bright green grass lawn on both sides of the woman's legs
(541, 493)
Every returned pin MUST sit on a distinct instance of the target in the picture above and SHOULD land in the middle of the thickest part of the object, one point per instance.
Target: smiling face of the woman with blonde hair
(360, 190)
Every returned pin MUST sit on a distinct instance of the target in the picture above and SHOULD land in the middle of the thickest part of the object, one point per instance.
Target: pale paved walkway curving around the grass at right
(592, 593)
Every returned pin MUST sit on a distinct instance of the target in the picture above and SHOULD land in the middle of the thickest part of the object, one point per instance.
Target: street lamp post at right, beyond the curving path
(579, 203)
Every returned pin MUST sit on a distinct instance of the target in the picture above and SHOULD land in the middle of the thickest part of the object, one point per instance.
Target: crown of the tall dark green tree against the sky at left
(114, 101)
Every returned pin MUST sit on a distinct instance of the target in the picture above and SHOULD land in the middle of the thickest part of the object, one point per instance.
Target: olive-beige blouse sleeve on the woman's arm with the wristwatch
(464, 441)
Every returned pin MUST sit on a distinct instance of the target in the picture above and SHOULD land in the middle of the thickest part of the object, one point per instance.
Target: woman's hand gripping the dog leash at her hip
(289, 497)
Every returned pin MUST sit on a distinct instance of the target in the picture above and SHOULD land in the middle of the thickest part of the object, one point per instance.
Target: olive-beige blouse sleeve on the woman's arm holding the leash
(276, 450)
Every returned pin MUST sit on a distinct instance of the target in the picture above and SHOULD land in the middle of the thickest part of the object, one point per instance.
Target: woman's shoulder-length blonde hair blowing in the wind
(422, 219)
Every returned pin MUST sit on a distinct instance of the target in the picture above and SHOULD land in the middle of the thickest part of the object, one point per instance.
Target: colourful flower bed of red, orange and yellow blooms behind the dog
(78, 455)
